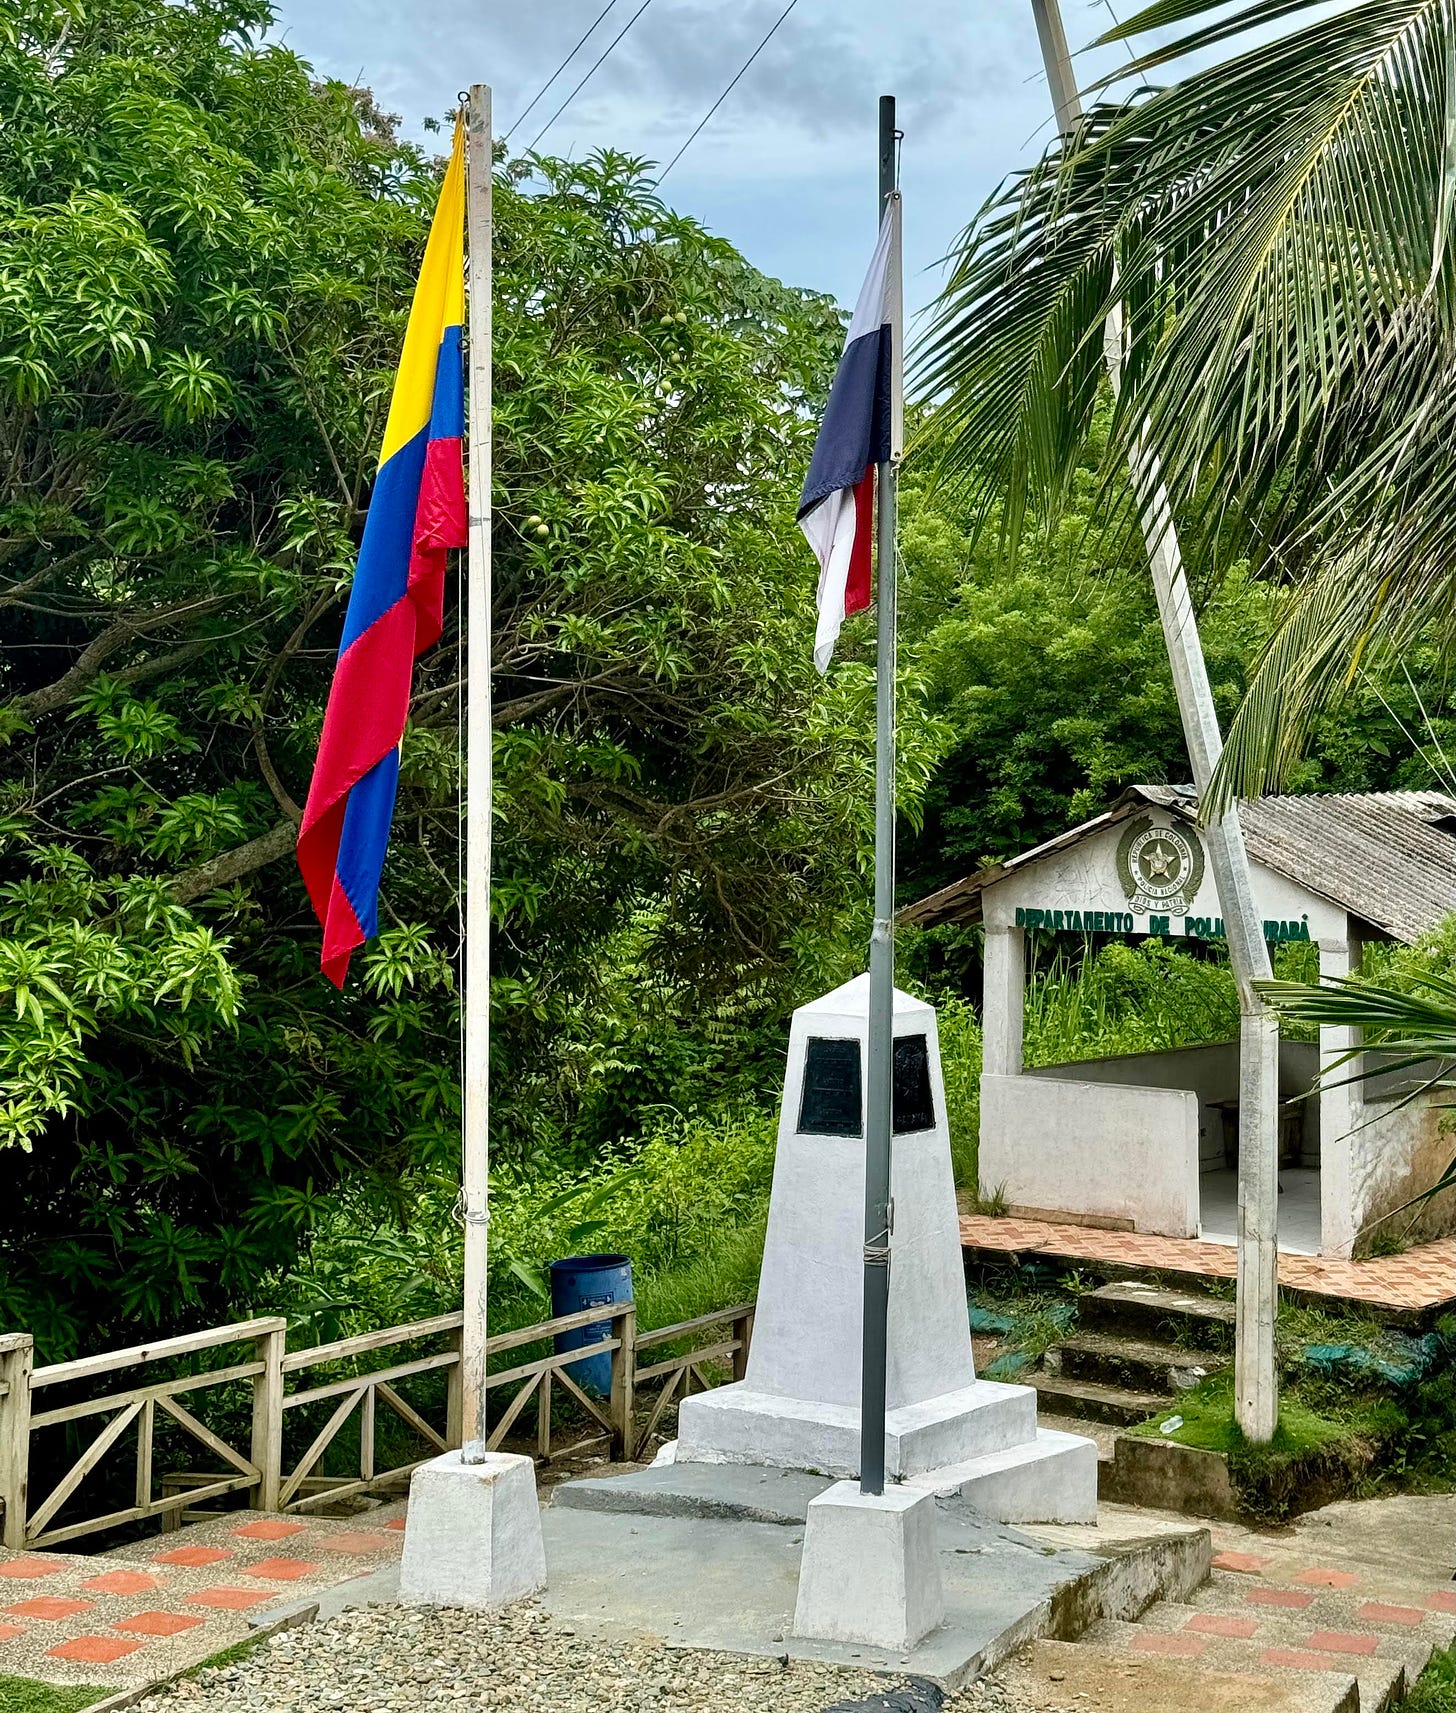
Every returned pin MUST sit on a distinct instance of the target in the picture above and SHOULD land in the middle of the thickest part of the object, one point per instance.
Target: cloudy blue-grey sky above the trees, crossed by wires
(787, 167)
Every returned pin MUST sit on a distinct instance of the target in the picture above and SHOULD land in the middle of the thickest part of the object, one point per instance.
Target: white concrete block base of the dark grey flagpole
(869, 1570)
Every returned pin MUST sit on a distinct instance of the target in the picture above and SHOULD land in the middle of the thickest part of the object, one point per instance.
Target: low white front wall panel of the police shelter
(1094, 1149)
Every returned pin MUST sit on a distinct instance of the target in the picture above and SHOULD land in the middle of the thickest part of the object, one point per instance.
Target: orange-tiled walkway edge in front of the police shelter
(1421, 1280)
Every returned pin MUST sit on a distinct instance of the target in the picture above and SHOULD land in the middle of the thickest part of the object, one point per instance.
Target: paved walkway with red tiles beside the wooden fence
(160, 1606)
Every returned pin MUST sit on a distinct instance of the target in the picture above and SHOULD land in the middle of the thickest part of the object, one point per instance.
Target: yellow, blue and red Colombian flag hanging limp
(397, 604)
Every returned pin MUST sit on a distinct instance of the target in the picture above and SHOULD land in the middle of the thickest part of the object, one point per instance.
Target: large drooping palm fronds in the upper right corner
(1279, 232)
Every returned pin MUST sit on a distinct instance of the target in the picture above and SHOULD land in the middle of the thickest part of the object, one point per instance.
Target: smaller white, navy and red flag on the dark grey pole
(861, 431)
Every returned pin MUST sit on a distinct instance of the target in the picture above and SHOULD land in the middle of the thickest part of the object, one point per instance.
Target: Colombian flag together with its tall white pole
(397, 611)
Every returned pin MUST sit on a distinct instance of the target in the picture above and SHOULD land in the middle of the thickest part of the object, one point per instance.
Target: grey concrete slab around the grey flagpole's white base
(708, 1558)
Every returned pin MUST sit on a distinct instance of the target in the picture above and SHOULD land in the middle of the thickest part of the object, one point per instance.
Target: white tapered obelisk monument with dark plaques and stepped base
(799, 1404)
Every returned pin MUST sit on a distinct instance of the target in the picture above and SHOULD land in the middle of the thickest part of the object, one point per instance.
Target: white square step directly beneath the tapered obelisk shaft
(736, 1424)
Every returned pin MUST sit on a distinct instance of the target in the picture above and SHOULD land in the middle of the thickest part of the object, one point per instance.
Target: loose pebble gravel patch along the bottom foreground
(390, 1659)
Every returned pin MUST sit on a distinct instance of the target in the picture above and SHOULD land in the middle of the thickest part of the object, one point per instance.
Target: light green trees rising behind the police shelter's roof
(1051, 674)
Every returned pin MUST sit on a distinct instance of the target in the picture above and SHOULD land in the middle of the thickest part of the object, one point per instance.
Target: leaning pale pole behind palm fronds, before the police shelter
(1256, 1380)
